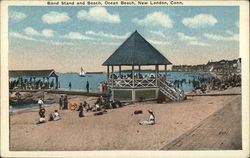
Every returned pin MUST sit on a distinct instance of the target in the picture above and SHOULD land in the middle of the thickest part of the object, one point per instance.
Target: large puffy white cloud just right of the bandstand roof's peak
(155, 19)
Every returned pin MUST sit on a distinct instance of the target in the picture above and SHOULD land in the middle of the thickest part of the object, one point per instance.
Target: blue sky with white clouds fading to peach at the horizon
(66, 38)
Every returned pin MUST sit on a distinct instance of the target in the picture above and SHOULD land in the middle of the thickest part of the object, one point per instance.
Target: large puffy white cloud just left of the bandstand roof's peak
(98, 14)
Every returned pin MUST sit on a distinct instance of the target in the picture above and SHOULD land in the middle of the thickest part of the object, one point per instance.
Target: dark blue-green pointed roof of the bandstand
(136, 51)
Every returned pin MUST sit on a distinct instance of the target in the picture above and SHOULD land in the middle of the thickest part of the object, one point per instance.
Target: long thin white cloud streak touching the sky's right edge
(234, 37)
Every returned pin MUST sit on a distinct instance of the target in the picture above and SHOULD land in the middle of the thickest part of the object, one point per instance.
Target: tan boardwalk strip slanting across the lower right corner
(221, 130)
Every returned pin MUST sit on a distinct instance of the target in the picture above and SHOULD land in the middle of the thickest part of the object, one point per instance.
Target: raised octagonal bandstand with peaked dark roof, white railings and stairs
(136, 52)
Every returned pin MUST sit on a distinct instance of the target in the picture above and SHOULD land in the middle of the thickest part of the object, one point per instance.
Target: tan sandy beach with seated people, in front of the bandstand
(118, 129)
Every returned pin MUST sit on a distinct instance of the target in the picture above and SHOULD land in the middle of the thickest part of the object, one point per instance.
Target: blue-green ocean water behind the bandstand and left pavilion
(79, 83)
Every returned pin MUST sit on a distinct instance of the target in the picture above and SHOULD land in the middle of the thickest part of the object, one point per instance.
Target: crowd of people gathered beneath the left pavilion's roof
(31, 83)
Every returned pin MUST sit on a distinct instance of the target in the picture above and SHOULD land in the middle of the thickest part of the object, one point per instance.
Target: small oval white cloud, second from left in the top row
(55, 17)
